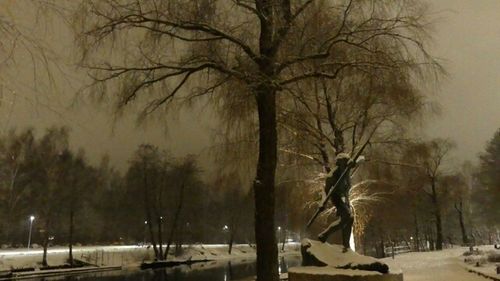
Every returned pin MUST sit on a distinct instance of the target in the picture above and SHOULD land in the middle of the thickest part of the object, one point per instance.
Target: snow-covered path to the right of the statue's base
(443, 265)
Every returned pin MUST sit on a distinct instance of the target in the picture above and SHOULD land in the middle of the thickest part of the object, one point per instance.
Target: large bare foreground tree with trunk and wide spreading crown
(237, 48)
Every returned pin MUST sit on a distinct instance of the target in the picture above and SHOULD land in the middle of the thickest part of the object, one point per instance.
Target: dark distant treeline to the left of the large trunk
(72, 200)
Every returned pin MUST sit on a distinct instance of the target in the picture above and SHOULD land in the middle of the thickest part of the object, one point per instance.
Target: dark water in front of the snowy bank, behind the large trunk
(210, 271)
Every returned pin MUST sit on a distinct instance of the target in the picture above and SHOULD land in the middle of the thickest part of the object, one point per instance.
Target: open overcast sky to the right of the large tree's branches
(467, 37)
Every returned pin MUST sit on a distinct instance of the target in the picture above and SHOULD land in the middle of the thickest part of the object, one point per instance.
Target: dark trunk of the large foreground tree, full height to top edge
(264, 184)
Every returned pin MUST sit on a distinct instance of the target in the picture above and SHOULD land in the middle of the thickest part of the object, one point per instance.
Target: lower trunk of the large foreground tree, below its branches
(264, 187)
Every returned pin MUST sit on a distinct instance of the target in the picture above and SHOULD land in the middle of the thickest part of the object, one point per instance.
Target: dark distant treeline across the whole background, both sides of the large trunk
(409, 195)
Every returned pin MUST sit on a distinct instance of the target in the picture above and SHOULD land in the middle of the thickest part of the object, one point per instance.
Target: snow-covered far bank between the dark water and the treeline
(128, 255)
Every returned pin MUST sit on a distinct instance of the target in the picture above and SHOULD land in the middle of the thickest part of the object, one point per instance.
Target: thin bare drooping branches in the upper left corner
(23, 42)
